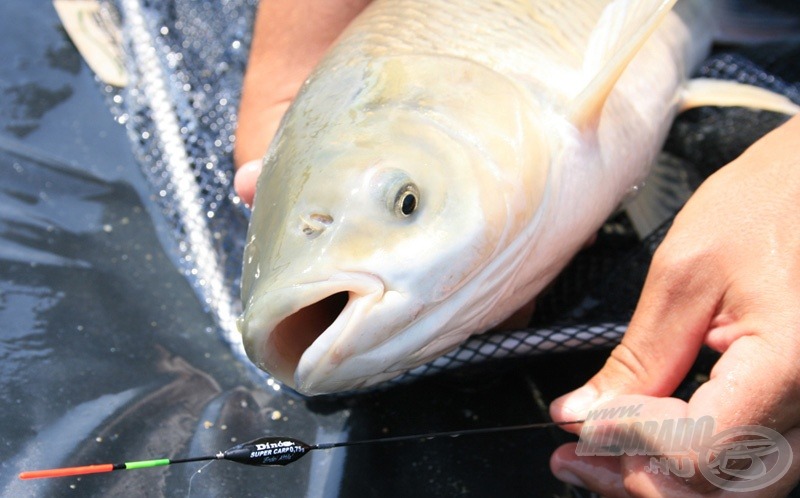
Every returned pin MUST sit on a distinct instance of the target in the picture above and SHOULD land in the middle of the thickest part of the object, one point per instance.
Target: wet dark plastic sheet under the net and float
(107, 355)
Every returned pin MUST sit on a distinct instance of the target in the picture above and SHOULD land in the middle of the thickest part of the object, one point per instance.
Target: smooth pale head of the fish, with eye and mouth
(383, 202)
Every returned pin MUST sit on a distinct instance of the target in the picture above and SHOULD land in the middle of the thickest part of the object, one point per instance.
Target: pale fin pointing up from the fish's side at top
(621, 31)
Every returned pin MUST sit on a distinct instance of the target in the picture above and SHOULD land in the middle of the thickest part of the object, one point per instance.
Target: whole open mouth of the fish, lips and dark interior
(300, 333)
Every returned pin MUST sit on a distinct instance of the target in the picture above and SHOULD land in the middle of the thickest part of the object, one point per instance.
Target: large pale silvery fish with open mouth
(443, 163)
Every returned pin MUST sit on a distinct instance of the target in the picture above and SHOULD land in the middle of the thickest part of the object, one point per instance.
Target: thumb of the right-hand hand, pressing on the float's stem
(664, 336)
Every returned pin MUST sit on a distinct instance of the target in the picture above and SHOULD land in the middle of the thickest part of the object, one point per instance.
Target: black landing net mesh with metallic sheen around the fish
(187, 59)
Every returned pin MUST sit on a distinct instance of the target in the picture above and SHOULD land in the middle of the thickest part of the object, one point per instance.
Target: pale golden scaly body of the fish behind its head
(530, 42)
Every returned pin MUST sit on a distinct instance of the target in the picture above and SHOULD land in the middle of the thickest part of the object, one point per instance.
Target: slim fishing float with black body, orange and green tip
(273, 450)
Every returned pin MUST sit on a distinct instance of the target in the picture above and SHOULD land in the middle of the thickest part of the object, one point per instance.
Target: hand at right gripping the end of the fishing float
(727, 275)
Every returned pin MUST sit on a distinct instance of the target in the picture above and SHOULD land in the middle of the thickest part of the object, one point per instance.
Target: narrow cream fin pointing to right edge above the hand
(724, 93)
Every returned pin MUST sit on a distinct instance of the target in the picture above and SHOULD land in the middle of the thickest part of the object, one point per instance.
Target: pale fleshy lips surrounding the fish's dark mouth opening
(364, 289)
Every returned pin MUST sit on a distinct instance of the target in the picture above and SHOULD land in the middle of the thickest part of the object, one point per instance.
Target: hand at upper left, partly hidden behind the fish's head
(289, 38)
